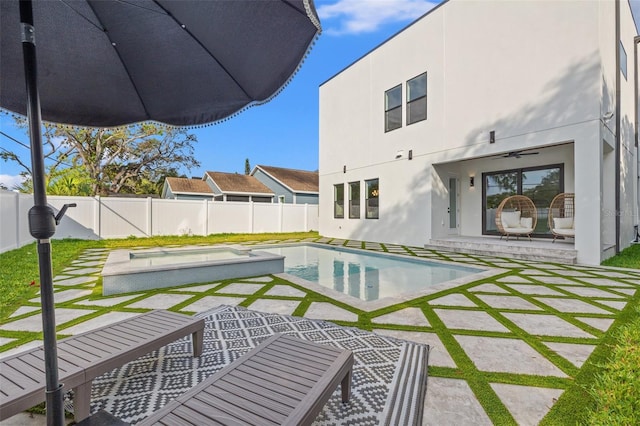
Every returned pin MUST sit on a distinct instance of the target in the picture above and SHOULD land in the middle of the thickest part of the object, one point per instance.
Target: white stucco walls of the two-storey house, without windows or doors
(530, 70)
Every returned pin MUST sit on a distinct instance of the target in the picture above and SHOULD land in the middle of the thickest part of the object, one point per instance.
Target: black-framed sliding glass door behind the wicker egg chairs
(540, 184)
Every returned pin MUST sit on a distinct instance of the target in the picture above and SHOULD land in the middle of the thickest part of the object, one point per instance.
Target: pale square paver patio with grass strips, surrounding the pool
(537, 320)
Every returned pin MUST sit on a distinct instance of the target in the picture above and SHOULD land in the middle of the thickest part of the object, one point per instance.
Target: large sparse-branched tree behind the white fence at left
(114, 160)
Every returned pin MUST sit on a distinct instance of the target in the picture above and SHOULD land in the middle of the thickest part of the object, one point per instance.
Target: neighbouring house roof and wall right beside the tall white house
(289, 185)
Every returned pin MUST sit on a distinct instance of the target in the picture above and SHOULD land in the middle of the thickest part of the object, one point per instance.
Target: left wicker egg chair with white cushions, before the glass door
(516, 215)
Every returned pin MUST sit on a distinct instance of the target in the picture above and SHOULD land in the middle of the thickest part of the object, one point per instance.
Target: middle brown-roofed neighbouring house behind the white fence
(236, 187)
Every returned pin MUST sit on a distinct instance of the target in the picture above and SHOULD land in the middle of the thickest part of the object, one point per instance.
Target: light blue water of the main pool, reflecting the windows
(366, 276)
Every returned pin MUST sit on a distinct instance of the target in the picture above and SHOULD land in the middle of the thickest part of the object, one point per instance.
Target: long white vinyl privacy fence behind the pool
(100, 217)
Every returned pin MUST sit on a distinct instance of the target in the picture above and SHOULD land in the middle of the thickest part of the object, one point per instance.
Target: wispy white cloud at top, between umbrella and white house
(365, 16)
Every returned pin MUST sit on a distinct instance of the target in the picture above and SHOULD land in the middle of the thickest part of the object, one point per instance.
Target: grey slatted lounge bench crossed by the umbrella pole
(83, 357)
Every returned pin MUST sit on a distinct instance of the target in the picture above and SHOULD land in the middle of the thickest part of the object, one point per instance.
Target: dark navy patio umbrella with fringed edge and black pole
(103, 63)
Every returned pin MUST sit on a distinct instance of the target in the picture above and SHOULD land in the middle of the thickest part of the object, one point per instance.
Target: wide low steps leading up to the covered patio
(517, 250)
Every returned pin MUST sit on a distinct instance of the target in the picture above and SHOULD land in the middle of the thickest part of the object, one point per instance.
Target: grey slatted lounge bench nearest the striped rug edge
(283, 381)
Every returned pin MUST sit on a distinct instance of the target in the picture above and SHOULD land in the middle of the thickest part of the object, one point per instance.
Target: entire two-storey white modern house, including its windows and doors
(478, 100)
